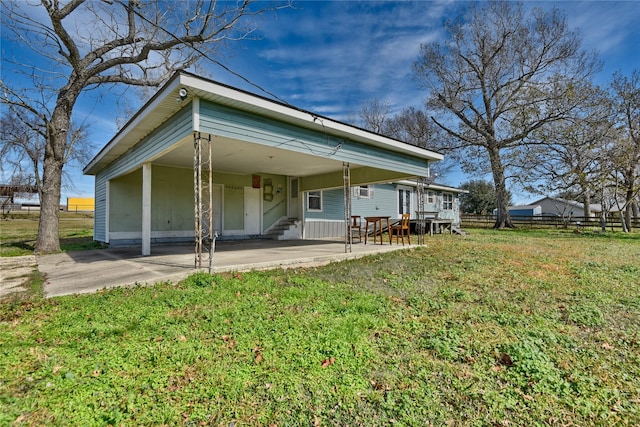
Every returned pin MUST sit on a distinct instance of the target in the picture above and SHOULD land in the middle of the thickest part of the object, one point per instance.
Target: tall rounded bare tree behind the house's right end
(497, 78)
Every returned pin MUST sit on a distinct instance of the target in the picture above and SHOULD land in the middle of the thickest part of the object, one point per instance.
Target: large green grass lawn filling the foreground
(509, 328)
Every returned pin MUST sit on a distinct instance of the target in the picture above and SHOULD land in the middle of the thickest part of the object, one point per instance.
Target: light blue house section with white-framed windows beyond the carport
(324, 217)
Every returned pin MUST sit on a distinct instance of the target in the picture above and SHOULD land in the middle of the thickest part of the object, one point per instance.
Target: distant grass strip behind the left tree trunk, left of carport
(18, 233)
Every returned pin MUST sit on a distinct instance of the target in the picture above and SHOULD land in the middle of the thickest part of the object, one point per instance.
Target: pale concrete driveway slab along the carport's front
(88, 271)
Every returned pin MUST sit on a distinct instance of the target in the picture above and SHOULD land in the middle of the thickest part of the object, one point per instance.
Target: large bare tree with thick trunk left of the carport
(84, 44)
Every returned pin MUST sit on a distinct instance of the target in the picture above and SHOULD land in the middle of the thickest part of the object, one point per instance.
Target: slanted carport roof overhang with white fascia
(167, 102)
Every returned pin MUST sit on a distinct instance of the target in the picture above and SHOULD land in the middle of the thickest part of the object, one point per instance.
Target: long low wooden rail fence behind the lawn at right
(613, 222)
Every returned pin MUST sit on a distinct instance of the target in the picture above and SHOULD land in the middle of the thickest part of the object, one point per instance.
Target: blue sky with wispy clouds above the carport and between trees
(330, 57)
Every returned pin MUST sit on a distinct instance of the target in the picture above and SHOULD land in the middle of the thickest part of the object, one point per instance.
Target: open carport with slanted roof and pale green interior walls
(152, 180)
